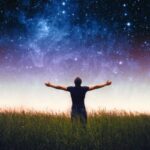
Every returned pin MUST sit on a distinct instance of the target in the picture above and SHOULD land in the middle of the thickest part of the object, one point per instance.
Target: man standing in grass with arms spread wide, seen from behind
(78, 93)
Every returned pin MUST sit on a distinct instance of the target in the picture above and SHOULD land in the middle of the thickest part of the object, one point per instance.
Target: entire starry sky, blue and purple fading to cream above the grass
(57, 40)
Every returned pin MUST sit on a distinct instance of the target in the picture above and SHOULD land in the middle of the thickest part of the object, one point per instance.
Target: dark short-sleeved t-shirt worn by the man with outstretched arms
(78, 95)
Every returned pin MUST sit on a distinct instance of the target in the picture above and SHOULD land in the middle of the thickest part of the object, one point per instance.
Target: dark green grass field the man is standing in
(105, 131)
